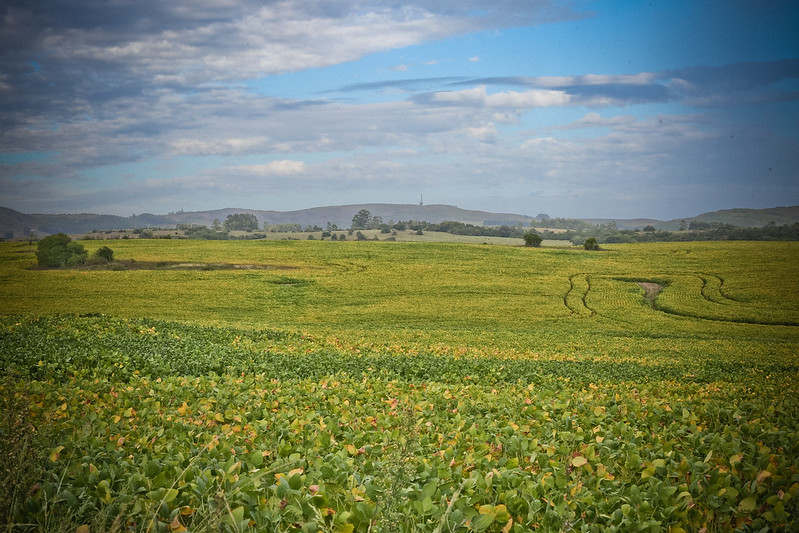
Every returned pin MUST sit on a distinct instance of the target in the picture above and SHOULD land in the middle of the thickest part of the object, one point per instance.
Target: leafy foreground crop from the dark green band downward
(156, 426)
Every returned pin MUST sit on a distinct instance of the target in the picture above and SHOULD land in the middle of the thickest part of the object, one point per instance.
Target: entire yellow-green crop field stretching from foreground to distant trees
(401, 386)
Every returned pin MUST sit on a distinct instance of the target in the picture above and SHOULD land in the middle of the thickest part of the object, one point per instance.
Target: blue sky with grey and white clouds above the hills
(585, 109)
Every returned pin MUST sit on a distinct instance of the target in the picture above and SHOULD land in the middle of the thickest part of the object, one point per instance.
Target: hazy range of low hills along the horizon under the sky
(14, 224)
